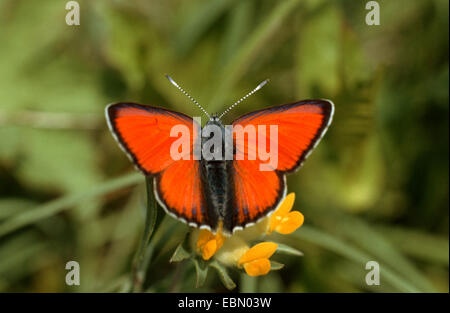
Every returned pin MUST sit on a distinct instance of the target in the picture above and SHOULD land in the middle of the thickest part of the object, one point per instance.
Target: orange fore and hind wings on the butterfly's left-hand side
(143, 132)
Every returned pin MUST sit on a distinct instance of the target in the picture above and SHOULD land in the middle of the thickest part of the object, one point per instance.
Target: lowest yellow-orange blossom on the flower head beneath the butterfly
(256, 260)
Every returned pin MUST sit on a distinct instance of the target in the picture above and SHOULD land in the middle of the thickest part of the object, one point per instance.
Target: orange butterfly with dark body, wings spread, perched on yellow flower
(225, 194)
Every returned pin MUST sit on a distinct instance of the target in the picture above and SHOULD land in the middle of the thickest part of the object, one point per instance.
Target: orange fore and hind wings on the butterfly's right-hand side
(301, 125)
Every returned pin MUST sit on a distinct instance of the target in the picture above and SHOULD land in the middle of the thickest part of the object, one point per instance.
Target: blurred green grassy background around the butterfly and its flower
(376, 188)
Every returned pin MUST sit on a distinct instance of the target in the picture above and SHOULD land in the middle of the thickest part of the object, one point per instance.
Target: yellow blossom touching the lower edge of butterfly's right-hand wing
(283, 220)
